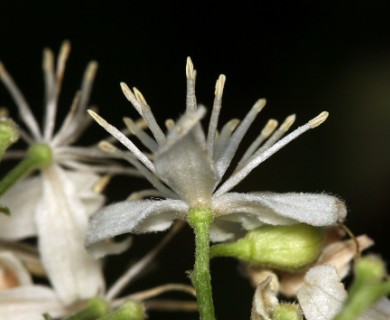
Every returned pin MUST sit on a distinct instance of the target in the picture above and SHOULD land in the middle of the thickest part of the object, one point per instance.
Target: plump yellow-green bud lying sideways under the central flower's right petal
(278, 247)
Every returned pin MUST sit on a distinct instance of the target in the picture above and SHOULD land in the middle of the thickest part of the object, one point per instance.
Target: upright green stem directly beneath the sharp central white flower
(200, 220)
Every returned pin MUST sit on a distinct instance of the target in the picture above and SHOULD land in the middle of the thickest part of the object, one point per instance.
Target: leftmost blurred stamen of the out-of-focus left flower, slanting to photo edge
(21, 103)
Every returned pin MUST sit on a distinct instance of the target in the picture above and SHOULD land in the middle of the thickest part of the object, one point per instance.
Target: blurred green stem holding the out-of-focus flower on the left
(38, 156)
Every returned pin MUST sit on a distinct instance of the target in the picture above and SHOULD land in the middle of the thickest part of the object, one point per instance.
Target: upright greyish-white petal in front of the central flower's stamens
(183, 162)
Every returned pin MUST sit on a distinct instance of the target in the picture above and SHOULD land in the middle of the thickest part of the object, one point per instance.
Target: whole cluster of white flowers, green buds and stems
(290, 243)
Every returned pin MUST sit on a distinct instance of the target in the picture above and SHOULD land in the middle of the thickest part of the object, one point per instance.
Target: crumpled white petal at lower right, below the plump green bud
(322, 294)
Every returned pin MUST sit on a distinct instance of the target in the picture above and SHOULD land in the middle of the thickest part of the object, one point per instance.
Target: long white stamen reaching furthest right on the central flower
(250, 165)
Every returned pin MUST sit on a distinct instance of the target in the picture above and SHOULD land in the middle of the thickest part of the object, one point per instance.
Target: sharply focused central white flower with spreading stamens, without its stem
(188, 167)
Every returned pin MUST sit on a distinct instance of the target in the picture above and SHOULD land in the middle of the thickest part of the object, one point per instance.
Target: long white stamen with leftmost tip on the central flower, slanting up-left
(124, 140)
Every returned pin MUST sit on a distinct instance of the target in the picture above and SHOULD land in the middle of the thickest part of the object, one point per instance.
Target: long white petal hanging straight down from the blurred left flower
(62, 220)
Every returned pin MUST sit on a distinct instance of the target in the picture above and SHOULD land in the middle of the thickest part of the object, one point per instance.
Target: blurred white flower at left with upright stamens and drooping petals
(55, 205)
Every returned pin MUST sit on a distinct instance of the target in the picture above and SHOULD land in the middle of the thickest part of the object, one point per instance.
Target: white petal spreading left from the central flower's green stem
(134, 217)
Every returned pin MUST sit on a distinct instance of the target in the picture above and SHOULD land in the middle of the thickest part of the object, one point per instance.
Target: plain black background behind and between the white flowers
(302, 57)
